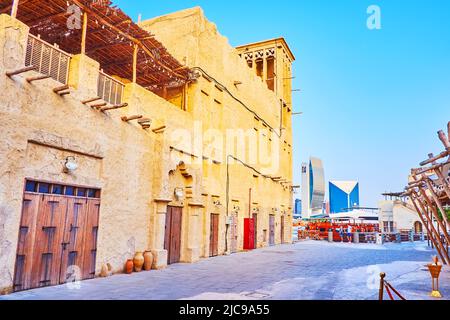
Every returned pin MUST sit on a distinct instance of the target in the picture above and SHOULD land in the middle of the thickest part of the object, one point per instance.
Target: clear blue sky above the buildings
(373, 100)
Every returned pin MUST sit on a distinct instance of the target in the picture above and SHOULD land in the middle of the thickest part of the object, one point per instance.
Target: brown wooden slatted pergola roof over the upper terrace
(106, 34)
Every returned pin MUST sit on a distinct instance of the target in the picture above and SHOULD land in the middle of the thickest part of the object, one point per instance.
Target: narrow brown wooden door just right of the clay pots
(172, 241)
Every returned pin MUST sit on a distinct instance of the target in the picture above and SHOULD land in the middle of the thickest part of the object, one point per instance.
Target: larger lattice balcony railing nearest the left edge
(47, 59)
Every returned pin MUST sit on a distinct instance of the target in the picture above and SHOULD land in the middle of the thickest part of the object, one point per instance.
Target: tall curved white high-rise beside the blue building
(313, 188)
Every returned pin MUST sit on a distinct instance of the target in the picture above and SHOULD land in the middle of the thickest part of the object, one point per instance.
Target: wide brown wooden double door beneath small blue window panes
(57, 240)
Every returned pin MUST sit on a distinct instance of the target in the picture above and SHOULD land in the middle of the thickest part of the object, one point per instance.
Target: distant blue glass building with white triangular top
(344, 195)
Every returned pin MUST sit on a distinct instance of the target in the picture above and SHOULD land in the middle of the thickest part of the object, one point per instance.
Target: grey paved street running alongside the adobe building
(306, 270)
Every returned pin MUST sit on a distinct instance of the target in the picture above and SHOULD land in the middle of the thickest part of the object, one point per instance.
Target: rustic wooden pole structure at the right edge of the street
(429, 191)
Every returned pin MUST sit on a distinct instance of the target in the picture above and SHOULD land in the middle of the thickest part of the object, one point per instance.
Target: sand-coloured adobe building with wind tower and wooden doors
(119, 138)
